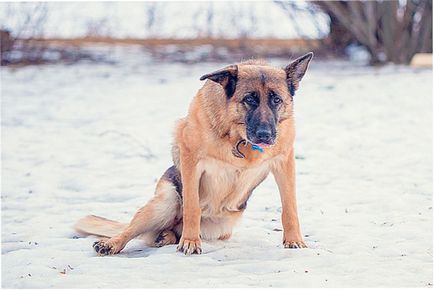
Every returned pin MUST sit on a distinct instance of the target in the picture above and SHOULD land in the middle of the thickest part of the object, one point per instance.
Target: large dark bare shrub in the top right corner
(392, 31)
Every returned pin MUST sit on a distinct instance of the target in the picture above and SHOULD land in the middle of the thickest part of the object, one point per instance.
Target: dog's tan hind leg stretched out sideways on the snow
(161, 213)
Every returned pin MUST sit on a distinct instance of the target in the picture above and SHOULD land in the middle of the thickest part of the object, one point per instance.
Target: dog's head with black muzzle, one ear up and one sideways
(260, 95)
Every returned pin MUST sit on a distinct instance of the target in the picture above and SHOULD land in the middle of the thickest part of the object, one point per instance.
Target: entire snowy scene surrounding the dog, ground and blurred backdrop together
(91, 91)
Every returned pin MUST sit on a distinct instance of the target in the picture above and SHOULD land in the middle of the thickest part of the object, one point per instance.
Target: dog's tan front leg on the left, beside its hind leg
(190, 240)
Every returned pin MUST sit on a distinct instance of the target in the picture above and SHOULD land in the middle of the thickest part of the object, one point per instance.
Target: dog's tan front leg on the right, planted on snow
(284, 173)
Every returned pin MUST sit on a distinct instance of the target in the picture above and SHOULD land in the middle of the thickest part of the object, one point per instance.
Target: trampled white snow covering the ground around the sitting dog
(94, 138)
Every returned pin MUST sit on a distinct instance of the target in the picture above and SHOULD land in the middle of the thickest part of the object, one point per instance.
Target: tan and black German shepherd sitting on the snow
(239, 128)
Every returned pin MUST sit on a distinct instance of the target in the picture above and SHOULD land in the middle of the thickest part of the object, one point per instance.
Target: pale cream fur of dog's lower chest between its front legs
(224, 188)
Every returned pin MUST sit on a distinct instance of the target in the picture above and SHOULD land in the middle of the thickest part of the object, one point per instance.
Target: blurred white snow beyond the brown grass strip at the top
(178, 19)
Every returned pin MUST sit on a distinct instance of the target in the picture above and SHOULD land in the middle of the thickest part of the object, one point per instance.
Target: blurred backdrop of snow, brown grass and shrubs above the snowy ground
(372, 32)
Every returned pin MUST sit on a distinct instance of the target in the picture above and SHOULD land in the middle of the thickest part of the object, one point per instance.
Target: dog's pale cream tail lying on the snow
(98, 226)
